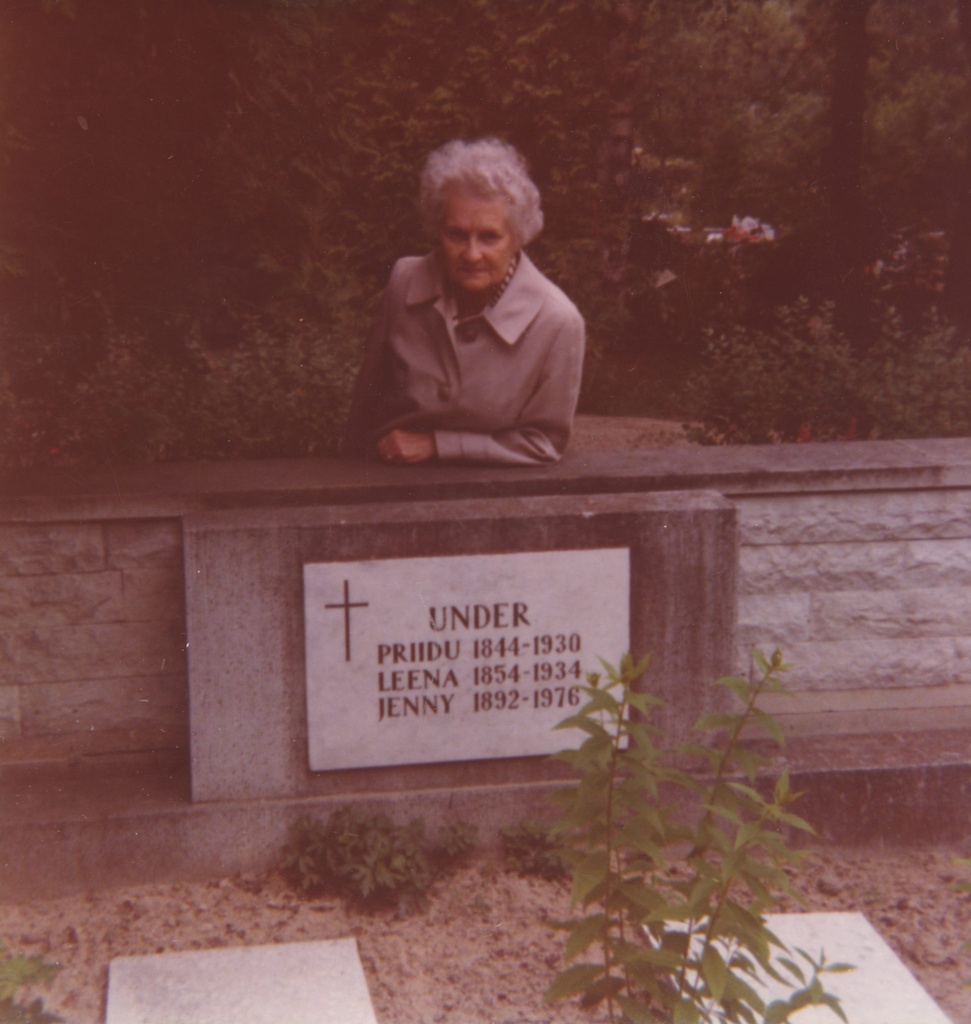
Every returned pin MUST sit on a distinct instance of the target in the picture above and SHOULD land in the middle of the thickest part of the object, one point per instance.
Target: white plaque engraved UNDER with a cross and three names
(415, 661)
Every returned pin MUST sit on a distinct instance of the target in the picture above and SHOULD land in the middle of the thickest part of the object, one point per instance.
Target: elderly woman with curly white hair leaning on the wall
(475, 357)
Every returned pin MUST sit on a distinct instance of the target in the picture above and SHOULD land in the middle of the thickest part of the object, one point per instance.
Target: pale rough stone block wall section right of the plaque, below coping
(869, 594)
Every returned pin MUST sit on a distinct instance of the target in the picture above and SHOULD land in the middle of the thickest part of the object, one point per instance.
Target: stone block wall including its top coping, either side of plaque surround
(855, 560)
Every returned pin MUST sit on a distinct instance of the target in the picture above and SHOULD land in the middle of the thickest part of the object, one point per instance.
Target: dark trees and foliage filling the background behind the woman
(191, 187)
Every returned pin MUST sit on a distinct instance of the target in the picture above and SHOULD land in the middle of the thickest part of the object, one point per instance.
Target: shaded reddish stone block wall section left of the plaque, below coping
(93, 649)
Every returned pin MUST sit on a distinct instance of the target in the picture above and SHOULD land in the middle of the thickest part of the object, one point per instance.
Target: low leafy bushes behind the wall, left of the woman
(266, 397)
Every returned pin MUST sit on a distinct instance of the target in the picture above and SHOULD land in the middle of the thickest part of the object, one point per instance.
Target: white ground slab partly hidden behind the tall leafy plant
(880, 991)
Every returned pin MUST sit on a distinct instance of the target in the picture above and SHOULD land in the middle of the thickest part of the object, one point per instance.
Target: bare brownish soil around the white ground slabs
(483, 953)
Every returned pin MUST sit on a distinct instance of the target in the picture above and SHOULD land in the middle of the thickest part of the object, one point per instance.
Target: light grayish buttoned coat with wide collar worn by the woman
(501, 388)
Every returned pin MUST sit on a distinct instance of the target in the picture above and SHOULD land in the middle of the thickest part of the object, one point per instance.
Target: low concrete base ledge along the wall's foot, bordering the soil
(95, 827)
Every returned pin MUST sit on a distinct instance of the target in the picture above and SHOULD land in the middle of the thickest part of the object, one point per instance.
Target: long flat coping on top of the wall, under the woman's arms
(173, 490)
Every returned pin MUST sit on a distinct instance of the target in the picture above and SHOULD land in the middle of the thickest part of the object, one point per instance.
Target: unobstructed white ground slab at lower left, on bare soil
(297, 983)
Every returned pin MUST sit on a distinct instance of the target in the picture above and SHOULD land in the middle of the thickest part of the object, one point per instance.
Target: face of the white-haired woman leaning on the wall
(477, 243)
